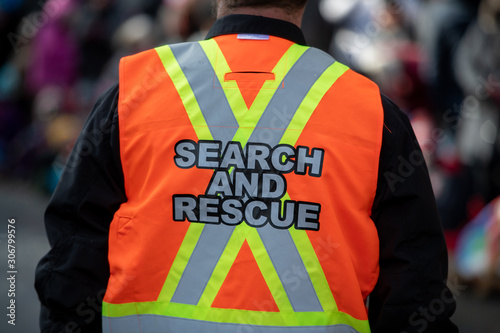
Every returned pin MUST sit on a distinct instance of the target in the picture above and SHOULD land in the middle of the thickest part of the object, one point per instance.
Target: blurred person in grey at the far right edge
(477, 68)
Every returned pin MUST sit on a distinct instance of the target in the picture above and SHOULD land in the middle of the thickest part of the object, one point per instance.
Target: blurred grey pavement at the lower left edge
(26, 206)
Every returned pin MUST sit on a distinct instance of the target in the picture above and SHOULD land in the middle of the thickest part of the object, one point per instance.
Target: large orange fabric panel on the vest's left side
(136, 274)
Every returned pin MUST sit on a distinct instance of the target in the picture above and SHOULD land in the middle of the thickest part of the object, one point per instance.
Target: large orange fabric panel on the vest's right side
(347, 243)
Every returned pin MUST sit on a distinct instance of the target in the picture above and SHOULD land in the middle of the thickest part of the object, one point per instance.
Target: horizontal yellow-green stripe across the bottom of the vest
(244, 317)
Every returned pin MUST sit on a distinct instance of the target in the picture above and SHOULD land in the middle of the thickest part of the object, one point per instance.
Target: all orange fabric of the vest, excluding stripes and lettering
(144, 239)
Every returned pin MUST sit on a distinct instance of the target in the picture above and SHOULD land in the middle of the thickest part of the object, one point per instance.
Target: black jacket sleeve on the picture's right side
(411, 294)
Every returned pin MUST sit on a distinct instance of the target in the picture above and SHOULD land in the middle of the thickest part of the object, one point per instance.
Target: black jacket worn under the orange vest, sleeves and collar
(411, 293)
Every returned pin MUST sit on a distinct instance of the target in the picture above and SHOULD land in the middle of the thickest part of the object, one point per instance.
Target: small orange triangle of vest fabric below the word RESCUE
(245, 268)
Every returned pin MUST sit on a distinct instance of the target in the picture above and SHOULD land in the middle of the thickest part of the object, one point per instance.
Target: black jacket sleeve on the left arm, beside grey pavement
(71, 279)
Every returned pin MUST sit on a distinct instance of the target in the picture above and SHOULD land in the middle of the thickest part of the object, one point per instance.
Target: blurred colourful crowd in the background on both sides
(439, 60)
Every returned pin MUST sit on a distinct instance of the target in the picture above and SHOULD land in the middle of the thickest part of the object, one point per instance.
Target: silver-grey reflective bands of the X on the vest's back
(270, 129)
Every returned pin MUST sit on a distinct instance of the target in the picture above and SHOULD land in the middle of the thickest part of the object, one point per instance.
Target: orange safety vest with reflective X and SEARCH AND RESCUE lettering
(250, 168)
